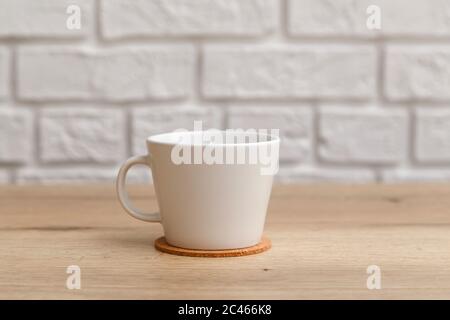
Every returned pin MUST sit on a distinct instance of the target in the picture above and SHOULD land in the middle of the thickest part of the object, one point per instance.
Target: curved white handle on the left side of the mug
(123, 194)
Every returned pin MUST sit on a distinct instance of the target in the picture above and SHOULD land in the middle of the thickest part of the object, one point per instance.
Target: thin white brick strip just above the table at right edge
(411, 175)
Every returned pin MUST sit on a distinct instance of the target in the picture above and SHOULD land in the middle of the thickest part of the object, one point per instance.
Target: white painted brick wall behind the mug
(352, 104)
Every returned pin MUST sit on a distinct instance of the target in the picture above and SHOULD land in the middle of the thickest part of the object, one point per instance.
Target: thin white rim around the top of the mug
(153, 139)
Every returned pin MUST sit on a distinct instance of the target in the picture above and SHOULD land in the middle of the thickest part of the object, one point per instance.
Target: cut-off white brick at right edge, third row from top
(432, 142)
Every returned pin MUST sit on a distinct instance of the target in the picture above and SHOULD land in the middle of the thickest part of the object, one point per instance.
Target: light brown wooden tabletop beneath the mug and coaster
(324, 238)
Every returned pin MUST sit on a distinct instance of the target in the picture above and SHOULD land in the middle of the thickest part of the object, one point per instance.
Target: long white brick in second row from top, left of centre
(118, 75)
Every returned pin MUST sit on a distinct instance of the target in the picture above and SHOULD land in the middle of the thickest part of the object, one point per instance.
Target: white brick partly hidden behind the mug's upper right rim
(294, 124)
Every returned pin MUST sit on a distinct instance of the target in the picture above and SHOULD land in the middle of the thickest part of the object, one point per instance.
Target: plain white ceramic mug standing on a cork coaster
(206, 206)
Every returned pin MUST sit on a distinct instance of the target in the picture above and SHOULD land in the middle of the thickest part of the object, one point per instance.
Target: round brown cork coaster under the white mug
(162, 245)
